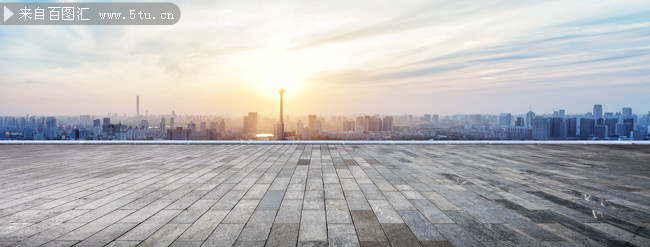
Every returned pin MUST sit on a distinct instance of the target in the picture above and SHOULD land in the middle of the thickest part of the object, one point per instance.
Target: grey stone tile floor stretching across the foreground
(315, 195)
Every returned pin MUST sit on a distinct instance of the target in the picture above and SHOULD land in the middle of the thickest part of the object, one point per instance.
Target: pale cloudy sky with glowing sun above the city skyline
(339, 57)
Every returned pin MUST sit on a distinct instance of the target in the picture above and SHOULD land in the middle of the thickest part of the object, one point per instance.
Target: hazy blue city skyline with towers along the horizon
(599, 124)
